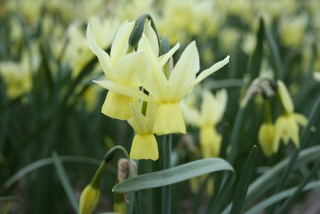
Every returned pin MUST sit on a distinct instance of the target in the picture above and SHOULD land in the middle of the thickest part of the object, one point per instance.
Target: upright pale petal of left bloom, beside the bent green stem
(120, 44)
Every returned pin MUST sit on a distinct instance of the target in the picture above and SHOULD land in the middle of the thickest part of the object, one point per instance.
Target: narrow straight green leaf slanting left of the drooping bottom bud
(65, 181)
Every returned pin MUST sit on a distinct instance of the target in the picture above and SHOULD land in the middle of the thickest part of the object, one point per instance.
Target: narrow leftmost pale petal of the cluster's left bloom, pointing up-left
(103, 57)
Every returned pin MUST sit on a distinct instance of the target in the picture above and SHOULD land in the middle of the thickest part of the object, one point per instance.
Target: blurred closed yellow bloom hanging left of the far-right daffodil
(266, 138)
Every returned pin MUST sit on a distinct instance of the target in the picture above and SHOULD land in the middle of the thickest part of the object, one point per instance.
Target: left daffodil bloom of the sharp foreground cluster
(120, 68)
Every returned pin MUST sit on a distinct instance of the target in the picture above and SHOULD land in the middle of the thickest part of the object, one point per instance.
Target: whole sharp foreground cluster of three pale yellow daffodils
(144, 89)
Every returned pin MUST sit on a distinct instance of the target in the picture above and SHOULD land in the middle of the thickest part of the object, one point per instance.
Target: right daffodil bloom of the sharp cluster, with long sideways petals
(164, 91)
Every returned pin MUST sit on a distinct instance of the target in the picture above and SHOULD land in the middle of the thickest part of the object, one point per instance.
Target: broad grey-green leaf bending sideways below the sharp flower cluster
(173, 175)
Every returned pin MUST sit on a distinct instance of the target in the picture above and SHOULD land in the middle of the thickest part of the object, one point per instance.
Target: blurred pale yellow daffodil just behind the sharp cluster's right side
(211, 112)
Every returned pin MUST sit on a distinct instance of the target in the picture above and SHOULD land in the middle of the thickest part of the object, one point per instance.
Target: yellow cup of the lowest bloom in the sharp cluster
(144, 147)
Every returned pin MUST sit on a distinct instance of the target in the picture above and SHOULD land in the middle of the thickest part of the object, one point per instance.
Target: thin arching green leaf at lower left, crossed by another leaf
(47, 161)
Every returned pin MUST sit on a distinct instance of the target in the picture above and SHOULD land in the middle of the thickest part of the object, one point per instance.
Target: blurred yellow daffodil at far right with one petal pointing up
(287, 125)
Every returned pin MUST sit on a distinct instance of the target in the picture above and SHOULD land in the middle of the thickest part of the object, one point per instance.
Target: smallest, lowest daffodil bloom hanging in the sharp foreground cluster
(144, 145)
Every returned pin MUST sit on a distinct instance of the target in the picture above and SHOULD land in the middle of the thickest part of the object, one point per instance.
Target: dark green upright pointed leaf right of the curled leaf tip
(242, 188)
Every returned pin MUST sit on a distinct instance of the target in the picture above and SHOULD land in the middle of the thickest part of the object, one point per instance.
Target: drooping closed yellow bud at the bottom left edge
(89, 199)
